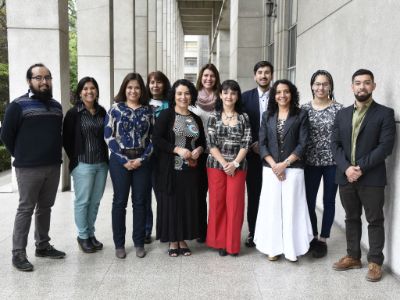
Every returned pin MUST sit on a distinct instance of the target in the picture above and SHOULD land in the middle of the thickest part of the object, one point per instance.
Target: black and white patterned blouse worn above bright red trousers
(228, 139)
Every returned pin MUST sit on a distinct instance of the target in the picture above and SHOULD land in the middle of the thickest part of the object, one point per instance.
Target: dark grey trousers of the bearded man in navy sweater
(37, 190)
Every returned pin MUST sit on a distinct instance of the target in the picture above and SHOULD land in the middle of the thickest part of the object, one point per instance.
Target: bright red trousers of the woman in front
(226, 209)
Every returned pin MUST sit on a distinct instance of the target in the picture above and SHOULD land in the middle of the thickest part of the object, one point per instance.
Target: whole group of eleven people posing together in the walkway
(184, 142)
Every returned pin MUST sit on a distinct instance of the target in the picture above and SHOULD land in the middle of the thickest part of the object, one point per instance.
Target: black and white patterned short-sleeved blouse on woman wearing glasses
(318, 151)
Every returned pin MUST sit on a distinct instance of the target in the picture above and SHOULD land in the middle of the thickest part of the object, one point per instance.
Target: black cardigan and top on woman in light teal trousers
(83, 136)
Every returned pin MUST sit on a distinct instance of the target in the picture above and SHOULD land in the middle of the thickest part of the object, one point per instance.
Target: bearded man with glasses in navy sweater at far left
(32, 133)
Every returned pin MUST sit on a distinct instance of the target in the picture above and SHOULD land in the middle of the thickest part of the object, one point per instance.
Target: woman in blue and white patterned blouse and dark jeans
(128, 131)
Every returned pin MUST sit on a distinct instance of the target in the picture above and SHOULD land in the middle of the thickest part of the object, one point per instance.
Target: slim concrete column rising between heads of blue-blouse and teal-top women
(152, 36)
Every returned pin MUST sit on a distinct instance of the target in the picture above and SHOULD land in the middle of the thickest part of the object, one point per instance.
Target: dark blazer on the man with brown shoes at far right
(374, 143)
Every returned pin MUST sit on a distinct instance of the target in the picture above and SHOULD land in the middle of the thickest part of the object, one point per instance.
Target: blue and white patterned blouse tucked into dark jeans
(127, 128)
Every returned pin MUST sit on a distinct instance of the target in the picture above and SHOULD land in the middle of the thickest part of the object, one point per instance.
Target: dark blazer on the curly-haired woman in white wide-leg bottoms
(294, 141)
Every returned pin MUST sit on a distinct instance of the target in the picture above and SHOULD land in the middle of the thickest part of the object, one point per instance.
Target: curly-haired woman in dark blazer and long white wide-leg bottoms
(283, 224)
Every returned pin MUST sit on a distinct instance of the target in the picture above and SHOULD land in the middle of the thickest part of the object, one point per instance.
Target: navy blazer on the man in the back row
(251, 106)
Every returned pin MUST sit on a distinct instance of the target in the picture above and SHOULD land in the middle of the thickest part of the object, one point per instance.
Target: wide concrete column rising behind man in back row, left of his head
(245, 40)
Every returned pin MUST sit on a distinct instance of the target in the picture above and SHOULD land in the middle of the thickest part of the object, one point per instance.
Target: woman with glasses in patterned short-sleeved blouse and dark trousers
(319, 160)
